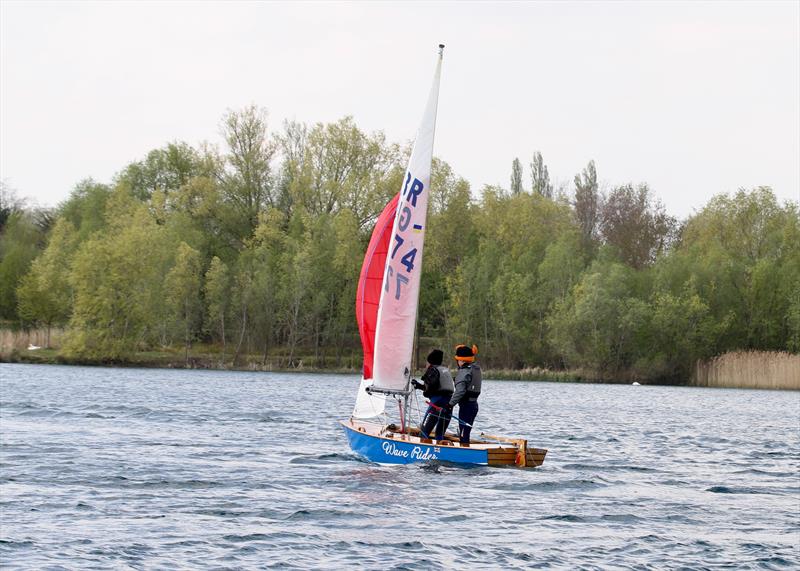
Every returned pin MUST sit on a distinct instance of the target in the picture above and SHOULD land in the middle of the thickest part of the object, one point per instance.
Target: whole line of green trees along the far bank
(255, 248)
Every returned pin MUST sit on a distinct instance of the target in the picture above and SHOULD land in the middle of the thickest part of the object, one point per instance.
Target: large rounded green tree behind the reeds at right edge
(742, 253)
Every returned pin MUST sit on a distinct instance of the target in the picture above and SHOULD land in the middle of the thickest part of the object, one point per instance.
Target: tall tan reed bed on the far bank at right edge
(749, 370)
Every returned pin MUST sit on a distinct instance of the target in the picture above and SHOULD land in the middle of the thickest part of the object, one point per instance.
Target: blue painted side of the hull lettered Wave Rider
(386, 450)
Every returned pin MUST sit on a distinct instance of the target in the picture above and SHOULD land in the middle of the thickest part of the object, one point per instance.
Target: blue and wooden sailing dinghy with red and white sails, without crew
(386, 311)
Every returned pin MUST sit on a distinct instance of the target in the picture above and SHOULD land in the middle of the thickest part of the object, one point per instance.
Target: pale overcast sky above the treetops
(693, 98)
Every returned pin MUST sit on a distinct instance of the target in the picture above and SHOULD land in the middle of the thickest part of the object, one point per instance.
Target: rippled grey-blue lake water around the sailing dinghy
(130, 468)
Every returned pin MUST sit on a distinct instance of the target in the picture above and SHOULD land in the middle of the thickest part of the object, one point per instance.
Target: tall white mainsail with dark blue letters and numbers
(397, 311)
